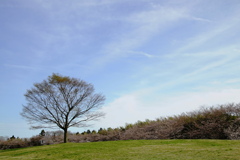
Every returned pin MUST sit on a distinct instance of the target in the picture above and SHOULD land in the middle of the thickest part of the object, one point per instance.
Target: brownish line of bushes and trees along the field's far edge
(220, 122)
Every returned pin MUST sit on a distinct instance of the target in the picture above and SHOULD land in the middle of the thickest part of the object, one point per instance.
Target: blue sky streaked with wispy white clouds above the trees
(150, 58)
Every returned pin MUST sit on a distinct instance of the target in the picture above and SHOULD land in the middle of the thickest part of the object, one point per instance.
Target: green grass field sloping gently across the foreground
(132, 150)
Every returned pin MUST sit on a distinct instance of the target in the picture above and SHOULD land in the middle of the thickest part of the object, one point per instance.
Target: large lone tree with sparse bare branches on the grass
(62, 102)
